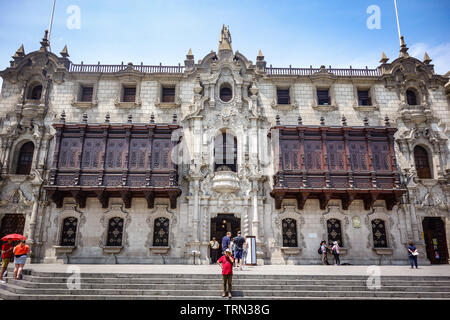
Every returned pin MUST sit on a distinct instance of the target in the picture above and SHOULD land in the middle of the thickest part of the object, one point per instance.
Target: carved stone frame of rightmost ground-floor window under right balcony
(380, 213)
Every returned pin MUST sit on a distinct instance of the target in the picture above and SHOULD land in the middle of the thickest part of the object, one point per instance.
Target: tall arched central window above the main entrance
(225, 152)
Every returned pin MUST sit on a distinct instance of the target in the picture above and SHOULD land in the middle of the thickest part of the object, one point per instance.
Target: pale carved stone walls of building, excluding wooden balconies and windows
(206, 193)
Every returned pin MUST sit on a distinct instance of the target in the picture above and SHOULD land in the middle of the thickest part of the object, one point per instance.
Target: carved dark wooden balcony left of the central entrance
(113, 160)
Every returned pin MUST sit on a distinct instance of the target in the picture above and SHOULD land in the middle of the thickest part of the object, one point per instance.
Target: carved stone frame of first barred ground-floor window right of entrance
(293, 213)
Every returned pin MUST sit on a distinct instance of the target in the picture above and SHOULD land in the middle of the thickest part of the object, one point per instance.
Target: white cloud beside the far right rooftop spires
(440, 54)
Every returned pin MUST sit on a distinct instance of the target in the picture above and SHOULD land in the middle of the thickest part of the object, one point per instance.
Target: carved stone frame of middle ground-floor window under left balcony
(116, 210)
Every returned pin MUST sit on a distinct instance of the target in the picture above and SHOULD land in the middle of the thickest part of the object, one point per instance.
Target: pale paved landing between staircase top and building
(404, 270)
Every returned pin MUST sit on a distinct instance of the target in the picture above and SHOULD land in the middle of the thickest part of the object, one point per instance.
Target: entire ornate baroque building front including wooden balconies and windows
(130, 155)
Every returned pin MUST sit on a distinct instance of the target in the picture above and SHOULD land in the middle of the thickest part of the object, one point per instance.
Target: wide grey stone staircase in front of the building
(106, 286)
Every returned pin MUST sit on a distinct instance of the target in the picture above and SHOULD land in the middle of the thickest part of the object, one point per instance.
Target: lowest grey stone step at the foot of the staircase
(244, 293)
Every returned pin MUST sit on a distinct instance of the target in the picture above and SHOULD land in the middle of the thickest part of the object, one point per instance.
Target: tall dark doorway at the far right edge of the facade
(435, 240)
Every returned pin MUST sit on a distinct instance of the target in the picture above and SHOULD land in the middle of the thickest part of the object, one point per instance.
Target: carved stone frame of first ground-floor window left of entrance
(160, 211)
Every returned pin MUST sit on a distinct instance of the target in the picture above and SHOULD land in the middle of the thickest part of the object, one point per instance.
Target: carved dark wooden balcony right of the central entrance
(347, 163)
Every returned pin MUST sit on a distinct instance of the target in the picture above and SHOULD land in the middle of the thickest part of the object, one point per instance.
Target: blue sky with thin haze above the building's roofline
(300, 33)
